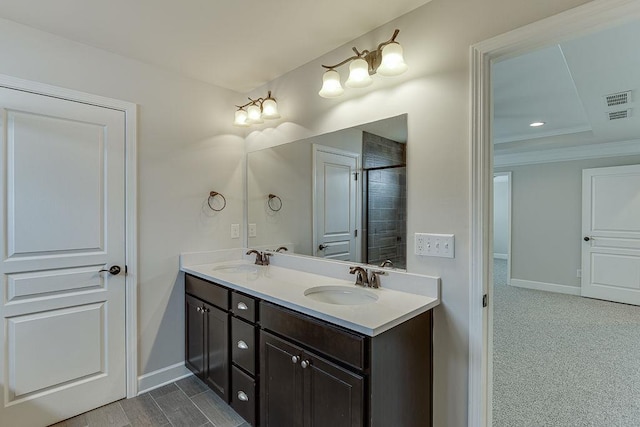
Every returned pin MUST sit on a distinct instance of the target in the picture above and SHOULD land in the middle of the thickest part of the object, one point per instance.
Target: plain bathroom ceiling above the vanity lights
(239, 44)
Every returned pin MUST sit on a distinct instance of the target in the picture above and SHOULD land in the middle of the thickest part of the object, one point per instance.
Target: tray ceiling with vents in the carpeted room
(565, 86)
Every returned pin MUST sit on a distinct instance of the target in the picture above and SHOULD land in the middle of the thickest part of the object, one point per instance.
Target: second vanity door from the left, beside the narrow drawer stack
(217, 350)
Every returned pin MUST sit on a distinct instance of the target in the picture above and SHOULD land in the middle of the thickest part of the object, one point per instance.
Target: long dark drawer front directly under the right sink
(345, 346)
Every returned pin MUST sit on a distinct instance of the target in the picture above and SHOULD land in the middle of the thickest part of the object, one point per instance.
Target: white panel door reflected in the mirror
(335, 201)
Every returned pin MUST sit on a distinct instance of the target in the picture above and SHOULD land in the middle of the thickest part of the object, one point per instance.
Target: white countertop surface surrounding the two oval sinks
(286, 287)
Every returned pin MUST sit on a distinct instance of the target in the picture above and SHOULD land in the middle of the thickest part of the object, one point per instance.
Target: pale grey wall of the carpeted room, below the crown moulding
(547, 219)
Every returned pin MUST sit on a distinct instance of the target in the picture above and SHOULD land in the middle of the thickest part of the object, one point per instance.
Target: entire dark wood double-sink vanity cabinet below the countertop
(280, 368)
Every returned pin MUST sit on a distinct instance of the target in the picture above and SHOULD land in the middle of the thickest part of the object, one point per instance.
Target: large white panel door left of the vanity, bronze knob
(62, 215)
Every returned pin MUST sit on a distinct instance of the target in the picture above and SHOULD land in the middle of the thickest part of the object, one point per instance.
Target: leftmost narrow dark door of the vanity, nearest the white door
(194, 336)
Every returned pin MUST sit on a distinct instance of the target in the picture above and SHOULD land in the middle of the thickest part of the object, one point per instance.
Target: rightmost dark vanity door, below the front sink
(333, 396)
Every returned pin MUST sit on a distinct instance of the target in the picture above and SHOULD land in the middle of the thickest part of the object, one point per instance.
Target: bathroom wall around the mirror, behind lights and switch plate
(435, 94)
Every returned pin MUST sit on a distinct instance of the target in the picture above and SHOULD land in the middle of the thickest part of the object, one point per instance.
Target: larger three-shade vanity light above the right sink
(386, 60)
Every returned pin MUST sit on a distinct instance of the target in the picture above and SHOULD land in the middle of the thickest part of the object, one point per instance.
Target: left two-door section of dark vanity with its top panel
(207, 334)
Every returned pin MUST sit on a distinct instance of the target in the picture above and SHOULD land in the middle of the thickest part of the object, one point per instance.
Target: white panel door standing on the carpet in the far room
(611, 234)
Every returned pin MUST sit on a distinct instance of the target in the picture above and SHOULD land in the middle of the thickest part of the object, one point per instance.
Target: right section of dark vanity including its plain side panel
(317, 374)
